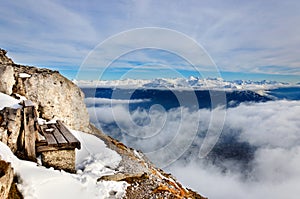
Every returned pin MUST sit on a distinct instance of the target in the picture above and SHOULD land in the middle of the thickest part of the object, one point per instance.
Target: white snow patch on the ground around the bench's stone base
(92, 161)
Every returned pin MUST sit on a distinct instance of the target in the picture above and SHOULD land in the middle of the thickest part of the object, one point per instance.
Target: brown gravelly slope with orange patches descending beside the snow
(146, 181)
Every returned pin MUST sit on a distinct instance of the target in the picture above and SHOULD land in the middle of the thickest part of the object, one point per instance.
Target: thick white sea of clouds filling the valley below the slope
(271, 128)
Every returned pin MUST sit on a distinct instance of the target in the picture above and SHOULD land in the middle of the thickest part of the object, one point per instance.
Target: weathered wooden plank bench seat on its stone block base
(58, 148)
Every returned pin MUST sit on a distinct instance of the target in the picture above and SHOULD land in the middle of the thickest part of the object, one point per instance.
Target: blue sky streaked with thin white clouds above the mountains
(256, 38)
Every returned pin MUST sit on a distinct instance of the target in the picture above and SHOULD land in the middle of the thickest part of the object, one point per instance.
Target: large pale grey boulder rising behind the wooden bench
(54, 95)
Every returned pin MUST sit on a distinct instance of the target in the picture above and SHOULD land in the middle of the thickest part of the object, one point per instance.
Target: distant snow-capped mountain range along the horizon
(182, 83)
